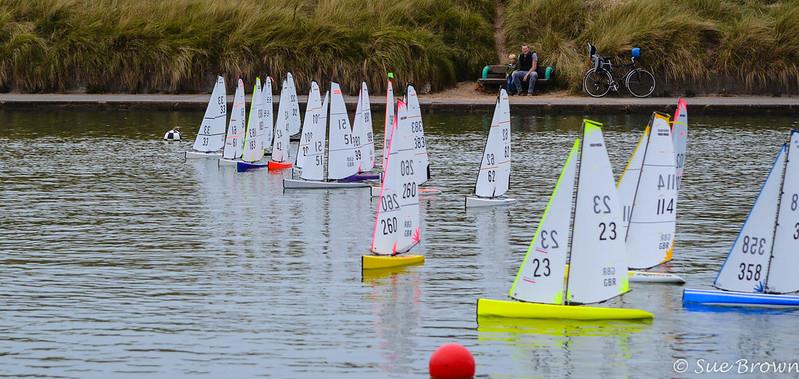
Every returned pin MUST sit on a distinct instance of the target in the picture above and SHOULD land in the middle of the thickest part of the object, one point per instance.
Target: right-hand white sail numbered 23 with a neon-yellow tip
(598, 262)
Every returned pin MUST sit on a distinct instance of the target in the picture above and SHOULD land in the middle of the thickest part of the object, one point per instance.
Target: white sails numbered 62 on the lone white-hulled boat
(494, 176)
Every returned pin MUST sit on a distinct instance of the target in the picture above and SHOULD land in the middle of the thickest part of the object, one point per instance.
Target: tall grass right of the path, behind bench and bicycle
(713, 44)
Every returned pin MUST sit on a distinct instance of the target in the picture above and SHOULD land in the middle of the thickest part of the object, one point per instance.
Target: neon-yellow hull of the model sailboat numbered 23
(517, 309)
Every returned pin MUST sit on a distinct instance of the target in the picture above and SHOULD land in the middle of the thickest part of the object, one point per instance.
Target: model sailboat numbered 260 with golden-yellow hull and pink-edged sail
(396, 229)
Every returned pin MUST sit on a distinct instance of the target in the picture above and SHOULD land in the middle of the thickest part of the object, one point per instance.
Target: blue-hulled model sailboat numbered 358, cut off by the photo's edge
(761, 266)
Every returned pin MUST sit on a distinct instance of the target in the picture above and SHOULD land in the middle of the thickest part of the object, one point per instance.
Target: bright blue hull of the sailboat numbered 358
(716, 297)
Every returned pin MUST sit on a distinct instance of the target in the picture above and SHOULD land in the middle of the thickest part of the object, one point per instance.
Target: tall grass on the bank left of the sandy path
(140, 46)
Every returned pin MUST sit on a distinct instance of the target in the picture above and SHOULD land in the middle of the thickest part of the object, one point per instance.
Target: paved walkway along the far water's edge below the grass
(533, 104)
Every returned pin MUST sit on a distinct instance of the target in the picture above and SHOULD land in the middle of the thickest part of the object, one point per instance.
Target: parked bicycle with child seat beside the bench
(599, 80)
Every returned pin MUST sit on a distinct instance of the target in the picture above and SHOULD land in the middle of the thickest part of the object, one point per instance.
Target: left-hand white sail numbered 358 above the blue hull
(747, 262)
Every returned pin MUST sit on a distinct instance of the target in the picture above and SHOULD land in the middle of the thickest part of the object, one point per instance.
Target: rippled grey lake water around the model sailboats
(117, 258)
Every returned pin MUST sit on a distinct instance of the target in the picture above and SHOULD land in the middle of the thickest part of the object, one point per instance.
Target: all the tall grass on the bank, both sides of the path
(178, 46)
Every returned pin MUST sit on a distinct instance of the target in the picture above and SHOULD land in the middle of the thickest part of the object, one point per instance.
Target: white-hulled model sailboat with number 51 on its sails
(341, 149)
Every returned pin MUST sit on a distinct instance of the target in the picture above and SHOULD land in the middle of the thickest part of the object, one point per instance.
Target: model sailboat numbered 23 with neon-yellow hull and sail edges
(596, 254)
